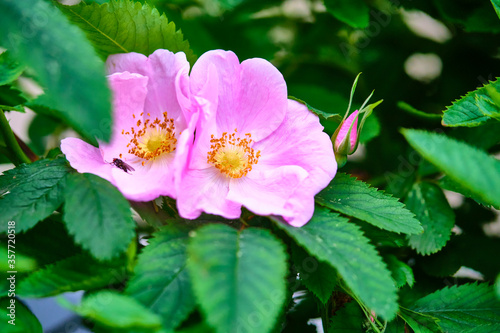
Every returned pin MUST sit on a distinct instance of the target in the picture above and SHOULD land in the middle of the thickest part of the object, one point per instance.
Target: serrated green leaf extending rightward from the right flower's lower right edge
(355, 198)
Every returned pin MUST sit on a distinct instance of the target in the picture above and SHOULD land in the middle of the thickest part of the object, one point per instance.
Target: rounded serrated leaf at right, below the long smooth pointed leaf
(432, 209)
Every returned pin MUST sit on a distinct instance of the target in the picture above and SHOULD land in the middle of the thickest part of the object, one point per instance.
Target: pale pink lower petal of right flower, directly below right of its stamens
(265, 192)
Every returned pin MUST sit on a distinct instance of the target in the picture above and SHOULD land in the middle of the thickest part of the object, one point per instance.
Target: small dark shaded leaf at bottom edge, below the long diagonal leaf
(348, 319)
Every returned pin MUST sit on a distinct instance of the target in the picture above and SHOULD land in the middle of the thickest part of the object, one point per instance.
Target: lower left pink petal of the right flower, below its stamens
(206, 191)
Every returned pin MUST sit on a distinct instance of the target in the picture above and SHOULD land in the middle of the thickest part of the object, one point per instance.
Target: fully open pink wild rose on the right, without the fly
(253, 146)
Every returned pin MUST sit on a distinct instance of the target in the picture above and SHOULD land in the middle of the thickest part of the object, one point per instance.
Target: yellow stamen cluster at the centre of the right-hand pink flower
(233, 156)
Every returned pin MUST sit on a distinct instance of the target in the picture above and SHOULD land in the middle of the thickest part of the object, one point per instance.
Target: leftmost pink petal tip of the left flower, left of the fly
(86, 158)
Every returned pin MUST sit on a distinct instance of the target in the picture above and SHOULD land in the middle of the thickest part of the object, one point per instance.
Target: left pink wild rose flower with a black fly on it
(152, 126)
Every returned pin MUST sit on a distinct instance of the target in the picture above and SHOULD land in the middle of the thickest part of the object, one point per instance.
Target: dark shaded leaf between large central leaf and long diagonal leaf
(318, 276)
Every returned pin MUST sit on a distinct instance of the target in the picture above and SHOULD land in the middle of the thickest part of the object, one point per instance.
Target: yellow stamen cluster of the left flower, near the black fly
(152, 138)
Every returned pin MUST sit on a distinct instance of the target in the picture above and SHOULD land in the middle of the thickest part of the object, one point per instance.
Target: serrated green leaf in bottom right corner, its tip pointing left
(459, 308)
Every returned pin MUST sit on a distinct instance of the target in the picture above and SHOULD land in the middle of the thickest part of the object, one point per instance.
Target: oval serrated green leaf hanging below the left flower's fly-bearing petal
(95, 207)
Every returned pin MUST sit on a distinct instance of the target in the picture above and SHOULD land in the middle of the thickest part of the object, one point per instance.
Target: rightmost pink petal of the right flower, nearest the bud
(300, 141)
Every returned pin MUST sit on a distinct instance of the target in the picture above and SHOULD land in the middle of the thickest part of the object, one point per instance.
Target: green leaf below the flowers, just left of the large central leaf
(161, 281)
